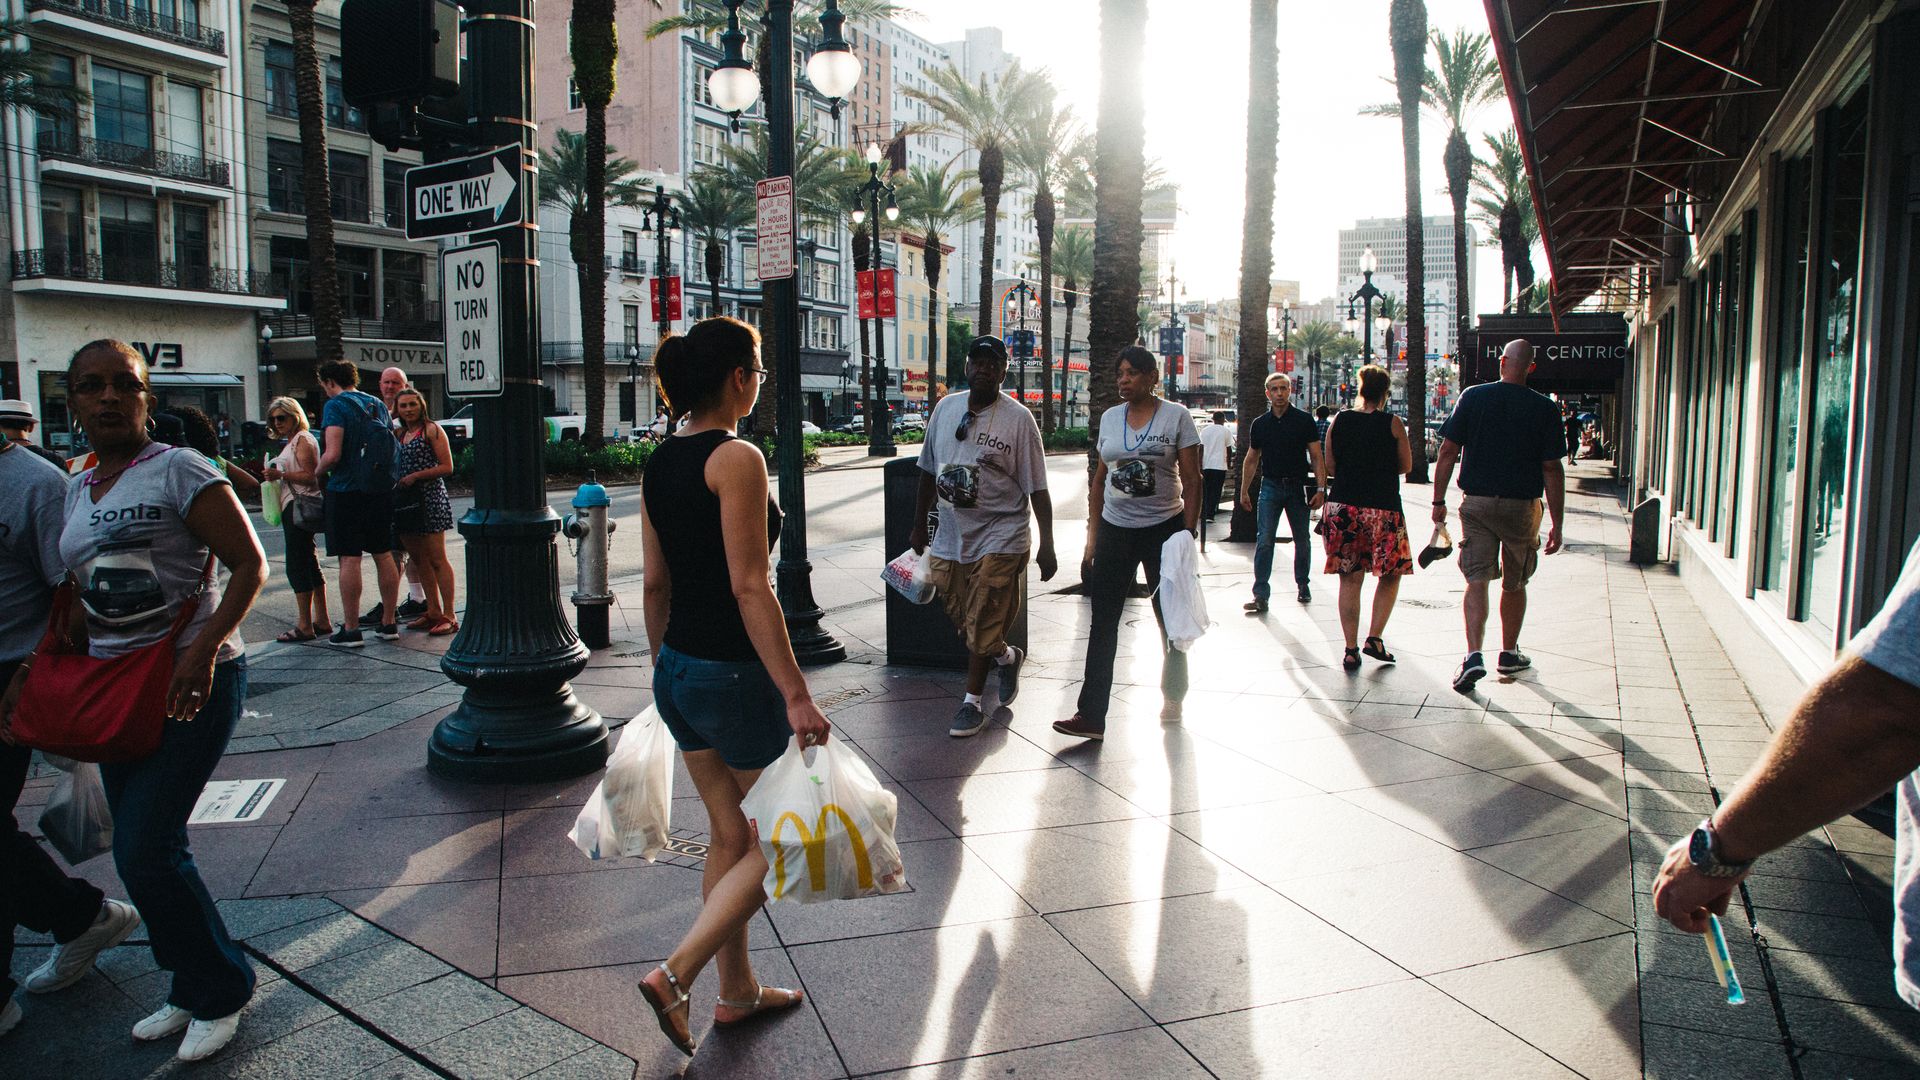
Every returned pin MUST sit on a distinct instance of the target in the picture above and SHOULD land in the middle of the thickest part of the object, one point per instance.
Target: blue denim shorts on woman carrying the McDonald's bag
(723, 704)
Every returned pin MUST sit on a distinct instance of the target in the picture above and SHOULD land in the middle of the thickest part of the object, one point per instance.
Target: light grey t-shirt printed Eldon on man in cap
(982, 481)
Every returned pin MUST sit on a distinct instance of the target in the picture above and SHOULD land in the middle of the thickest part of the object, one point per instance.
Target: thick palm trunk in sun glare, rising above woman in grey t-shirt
(1120, 170)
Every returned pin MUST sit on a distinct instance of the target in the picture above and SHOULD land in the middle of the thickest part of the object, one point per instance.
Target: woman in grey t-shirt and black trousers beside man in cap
(1145, 489)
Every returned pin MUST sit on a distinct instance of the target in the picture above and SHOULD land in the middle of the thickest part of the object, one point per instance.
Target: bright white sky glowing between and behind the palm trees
(1335, 164)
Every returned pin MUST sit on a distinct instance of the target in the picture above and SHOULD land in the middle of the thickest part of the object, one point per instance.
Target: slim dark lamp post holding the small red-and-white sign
(794, 576)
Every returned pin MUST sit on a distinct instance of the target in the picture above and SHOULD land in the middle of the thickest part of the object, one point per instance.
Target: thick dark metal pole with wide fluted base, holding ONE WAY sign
(516, 652)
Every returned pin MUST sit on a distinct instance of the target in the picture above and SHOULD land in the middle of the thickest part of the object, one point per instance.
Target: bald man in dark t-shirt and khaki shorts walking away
(1512, 443)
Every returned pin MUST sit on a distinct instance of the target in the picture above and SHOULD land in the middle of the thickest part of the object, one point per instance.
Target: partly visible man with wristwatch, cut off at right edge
(1850, 739)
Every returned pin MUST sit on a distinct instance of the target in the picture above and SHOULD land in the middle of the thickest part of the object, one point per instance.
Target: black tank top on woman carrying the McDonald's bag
(704, 618)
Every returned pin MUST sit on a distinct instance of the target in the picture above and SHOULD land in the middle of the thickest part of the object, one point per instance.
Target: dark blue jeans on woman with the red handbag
(151, 802)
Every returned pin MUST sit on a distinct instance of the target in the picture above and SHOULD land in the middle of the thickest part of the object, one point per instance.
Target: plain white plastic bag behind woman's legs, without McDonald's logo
(631, 808)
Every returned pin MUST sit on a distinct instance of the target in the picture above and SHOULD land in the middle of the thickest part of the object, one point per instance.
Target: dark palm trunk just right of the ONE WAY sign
(594, 51)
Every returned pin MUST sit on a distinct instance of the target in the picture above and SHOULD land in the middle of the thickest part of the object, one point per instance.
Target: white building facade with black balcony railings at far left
(128, 214)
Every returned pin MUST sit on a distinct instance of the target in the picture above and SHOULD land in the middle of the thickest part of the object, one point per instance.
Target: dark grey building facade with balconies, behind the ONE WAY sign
(389, 285)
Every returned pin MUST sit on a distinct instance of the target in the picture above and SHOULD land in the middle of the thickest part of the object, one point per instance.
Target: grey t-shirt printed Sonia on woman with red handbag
(133, 558)
